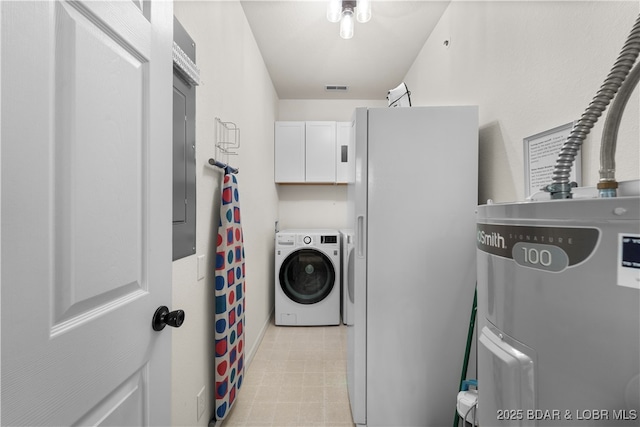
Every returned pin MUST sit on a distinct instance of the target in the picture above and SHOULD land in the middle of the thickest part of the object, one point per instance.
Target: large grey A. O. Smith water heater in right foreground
(559, 313)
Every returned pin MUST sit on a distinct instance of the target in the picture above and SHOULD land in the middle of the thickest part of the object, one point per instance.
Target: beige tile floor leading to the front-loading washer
(297, 378)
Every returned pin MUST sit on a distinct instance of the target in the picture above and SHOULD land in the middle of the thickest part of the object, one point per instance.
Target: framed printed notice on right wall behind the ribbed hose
(540, 154)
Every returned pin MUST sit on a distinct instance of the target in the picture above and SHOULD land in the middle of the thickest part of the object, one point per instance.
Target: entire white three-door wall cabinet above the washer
(320, 152)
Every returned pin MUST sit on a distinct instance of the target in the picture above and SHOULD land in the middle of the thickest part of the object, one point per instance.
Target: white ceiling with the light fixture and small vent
(304, 53)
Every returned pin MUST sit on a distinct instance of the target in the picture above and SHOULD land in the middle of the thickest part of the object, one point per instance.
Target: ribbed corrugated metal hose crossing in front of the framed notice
(560, 188)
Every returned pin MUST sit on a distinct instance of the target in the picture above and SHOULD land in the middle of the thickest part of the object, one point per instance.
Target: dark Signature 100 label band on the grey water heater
(544, 248)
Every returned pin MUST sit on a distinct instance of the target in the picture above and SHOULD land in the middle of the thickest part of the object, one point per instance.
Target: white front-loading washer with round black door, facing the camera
(307, 282)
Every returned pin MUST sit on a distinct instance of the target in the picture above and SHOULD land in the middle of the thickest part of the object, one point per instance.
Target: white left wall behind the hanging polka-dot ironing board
(236, 88)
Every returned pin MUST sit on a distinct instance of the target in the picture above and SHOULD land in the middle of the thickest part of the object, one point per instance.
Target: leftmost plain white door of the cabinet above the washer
(290, 151)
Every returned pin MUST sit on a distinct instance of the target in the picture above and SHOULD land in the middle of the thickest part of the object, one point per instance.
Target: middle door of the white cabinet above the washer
(321, 152)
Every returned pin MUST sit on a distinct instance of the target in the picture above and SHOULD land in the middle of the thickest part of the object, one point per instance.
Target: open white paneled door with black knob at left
(86, 212)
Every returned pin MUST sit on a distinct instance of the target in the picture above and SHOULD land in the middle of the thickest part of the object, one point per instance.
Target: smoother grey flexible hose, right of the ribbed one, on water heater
(608, 184)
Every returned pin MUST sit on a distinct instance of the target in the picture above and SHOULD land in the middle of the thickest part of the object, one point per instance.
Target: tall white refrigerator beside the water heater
(412, 209)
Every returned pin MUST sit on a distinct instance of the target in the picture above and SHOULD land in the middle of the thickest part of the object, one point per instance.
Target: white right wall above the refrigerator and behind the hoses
(530, 66)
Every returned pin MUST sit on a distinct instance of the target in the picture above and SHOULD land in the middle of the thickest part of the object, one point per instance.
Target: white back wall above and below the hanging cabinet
(317, 206)
